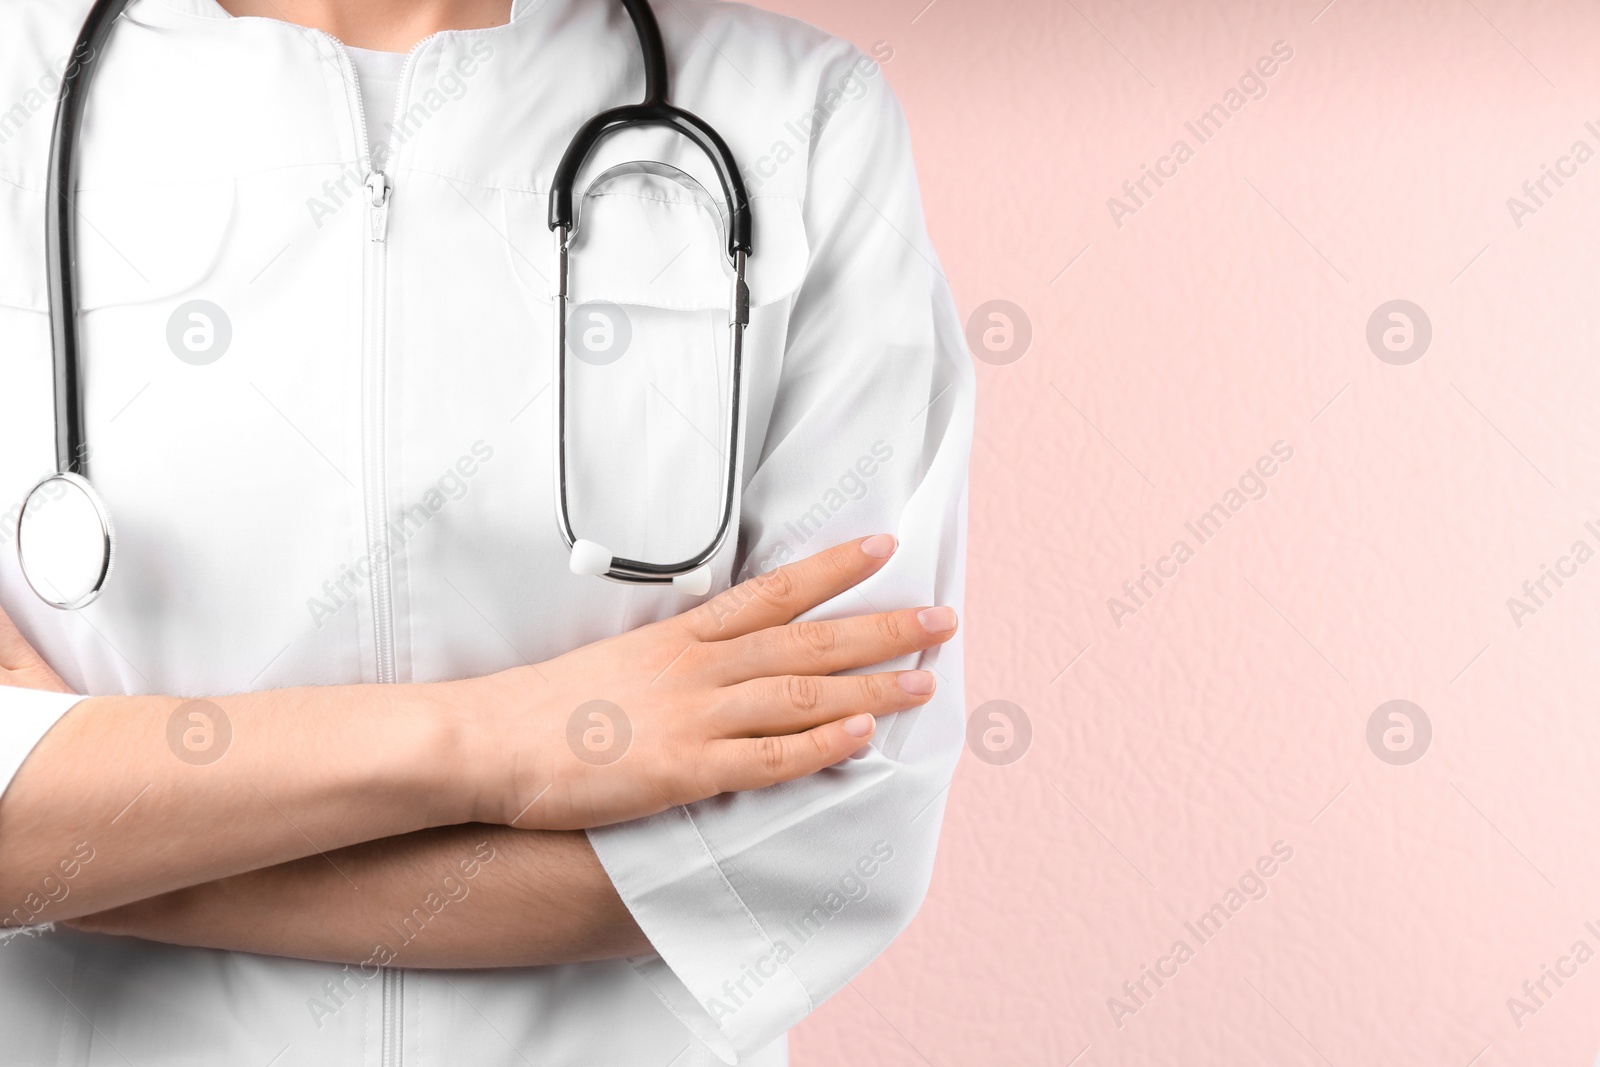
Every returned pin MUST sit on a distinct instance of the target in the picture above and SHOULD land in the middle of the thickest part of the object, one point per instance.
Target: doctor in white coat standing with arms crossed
(346, 765)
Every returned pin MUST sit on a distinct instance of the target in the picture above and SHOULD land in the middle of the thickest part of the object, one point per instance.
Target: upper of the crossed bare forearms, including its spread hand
(726, 698)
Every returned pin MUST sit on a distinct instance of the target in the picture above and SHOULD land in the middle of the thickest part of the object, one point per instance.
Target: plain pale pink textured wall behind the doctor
(1231, 711)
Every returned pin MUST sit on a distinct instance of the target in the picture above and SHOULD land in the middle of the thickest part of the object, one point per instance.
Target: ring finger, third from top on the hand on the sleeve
(770, 708)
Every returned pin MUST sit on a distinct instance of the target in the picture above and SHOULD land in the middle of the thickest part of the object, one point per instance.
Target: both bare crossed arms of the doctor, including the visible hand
(425, 869)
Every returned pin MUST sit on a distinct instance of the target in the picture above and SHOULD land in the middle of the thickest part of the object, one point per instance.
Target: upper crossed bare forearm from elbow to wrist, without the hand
(166, 794)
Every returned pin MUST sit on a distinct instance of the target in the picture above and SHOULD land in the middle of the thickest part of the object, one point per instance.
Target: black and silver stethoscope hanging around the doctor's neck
(66, 541)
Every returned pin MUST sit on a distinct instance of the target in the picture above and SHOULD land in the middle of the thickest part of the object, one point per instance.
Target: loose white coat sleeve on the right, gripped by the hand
(764, 905)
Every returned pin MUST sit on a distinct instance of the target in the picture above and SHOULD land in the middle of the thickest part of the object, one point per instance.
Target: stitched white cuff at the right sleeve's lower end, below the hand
(716, 969)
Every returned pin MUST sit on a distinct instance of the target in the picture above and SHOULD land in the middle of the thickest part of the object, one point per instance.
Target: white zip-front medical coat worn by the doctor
(359, 486)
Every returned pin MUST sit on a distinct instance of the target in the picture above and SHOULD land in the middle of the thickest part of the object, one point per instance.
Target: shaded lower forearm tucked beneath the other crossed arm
(468, 897)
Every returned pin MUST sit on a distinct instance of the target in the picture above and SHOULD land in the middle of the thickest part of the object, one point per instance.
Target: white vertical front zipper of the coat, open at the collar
(380, 191)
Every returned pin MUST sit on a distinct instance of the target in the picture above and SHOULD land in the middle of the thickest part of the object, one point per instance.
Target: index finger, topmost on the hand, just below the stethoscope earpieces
(780, 596)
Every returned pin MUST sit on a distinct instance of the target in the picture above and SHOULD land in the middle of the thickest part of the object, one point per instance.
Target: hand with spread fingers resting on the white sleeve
(729, 697)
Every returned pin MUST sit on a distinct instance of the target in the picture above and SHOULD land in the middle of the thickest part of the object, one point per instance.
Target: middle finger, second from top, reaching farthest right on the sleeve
(826, 647)
